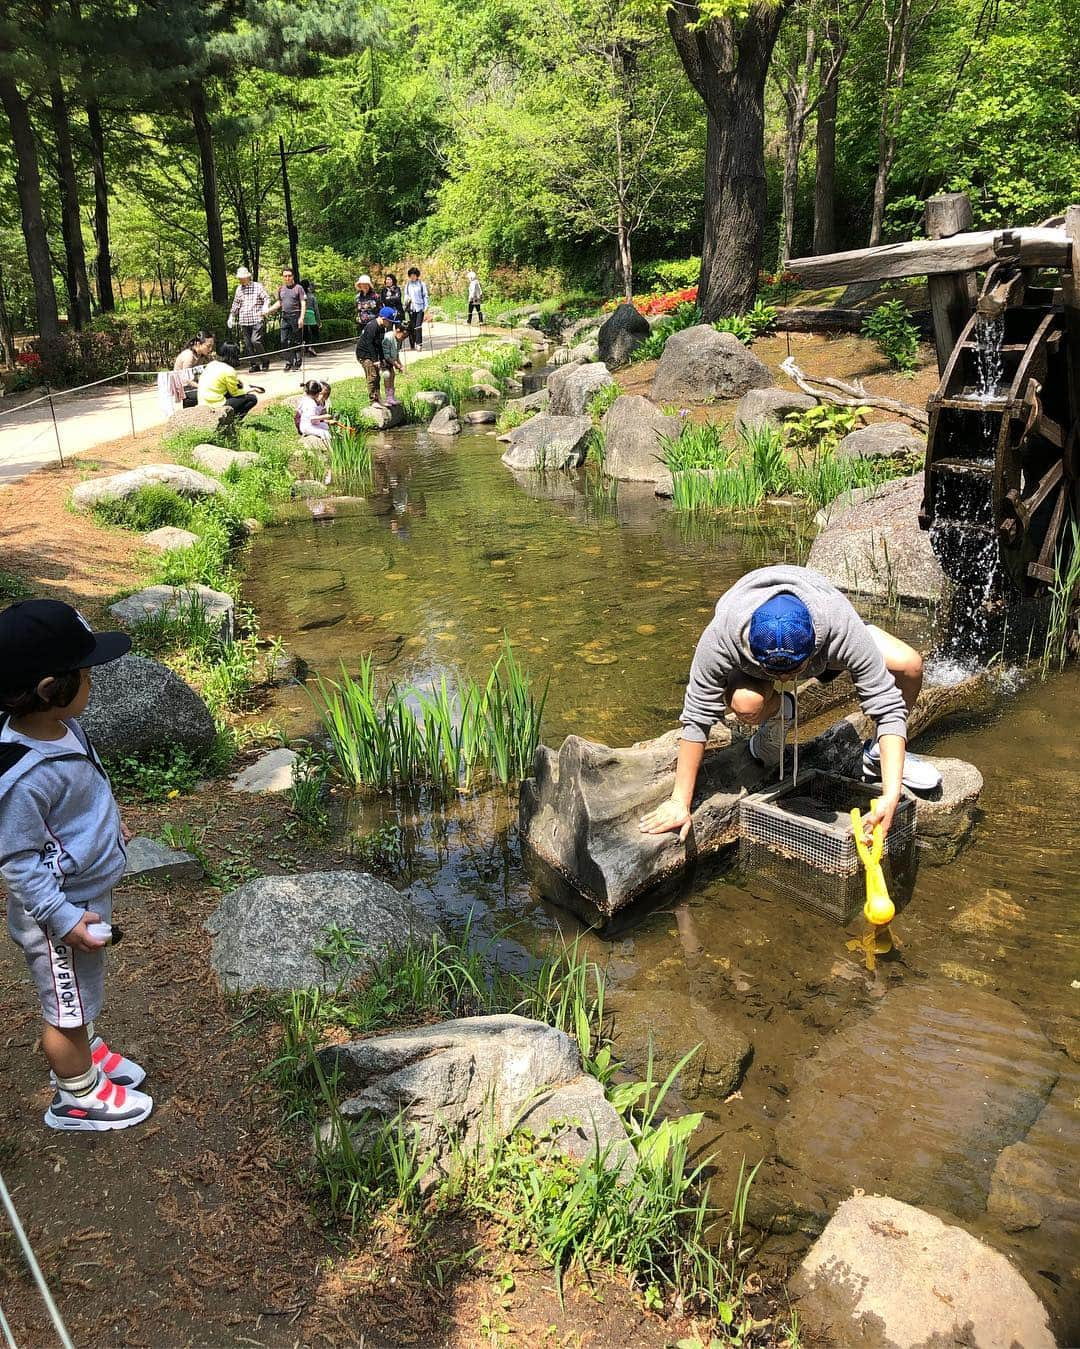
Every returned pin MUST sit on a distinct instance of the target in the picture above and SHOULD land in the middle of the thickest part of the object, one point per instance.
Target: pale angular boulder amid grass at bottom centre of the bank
(475, 1081)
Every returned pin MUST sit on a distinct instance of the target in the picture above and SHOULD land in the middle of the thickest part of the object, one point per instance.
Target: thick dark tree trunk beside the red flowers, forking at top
(727, 63)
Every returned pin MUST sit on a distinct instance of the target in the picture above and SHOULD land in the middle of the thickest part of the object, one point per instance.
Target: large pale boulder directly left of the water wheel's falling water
(877, 548)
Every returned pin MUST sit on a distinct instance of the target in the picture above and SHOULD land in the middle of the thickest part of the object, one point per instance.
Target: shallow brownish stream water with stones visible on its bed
(924, 1073)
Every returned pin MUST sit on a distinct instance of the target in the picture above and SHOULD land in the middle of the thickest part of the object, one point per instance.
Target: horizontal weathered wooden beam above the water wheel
(934, 257)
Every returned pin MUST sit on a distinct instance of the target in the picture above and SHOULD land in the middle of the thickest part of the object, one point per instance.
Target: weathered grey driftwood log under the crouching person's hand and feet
(579, 813)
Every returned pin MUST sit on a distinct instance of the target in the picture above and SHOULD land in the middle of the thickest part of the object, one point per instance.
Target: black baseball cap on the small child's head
(42, 637)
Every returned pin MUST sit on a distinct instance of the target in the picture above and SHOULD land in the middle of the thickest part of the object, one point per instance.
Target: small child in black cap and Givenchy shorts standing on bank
(61, 855)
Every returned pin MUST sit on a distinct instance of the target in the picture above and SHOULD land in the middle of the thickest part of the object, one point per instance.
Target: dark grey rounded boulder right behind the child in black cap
(138, 706)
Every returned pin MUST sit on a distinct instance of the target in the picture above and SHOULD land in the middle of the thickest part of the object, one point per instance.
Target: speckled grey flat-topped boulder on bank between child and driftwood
(266, 933)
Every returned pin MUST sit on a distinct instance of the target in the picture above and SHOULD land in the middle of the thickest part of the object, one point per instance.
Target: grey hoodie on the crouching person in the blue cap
(843, 644)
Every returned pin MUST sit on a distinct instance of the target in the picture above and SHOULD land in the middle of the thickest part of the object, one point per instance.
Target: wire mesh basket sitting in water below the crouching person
(800, 841)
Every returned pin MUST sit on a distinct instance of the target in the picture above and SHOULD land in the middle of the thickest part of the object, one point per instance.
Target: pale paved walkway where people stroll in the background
(86, 422)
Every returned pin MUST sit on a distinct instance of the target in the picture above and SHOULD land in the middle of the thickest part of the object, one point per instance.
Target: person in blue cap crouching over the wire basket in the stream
(776, 627)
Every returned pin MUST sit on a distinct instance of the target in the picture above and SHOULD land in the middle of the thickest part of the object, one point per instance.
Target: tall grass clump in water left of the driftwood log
(446, 736)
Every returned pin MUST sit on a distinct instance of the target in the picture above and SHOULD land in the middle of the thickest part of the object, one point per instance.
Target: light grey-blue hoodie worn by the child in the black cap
(60, 830)
